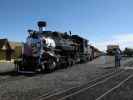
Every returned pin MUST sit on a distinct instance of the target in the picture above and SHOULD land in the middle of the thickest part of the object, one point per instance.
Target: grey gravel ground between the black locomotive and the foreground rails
(31, 87)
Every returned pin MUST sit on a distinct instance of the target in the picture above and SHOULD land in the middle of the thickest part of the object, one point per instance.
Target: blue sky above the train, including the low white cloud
(102, 22)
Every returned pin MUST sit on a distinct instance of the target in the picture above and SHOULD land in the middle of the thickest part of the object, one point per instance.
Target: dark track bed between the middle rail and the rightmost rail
(98, 90)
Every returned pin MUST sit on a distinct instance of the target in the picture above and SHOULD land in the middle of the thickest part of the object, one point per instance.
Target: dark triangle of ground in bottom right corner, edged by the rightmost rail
(123, 91)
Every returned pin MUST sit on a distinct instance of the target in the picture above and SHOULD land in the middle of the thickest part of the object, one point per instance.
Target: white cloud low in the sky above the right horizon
(123, 40)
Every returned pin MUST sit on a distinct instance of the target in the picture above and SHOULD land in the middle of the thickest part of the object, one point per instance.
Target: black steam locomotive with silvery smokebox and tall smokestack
(48, 50)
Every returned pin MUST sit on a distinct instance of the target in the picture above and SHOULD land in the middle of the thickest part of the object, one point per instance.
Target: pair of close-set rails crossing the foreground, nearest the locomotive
(63, 95)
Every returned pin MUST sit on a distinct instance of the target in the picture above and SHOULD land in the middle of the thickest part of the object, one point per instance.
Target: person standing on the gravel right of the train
(117, 57)
